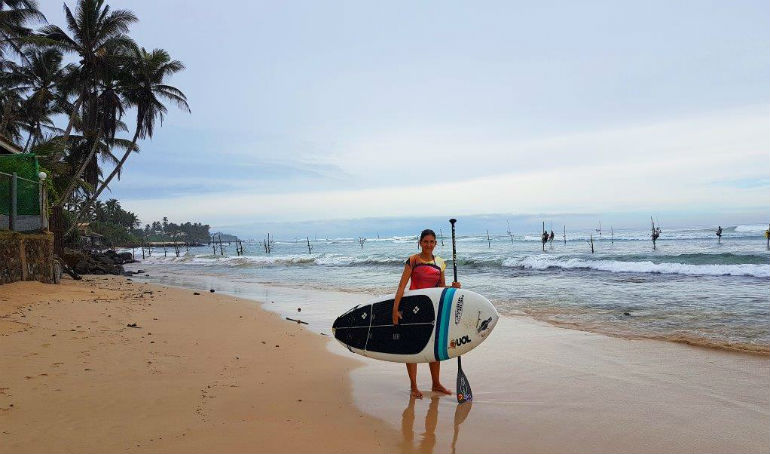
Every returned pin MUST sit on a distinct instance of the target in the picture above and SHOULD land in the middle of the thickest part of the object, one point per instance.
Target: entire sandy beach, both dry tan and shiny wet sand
(218, 373)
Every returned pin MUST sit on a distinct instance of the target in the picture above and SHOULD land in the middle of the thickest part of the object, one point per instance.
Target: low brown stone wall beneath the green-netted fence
(26, 257)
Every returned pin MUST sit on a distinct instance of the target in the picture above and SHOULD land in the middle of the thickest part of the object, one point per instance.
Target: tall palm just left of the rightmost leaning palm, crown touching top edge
(98, 37)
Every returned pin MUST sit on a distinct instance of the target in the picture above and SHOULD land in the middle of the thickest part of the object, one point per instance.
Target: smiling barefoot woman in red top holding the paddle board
(425, 271)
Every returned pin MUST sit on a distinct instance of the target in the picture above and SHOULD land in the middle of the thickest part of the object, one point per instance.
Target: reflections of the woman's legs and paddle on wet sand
(427, 441)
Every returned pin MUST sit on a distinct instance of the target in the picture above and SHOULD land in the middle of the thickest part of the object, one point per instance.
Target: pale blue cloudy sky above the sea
(324, 110)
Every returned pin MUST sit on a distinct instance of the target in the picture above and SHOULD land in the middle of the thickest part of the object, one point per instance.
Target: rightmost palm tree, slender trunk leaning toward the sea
(145, 89)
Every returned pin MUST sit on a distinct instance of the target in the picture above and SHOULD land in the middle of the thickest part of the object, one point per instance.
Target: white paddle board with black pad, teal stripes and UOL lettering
(436, 324)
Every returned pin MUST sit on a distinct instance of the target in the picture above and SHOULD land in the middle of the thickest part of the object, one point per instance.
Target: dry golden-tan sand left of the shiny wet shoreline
(207, 373)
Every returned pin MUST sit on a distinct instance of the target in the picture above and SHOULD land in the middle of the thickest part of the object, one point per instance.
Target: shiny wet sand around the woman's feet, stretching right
(542, 389)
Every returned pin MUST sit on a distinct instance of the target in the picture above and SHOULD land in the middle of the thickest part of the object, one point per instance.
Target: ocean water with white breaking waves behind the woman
(691, 288)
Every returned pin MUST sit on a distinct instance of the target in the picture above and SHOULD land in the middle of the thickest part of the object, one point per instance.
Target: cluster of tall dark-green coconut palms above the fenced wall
(68, 94)
